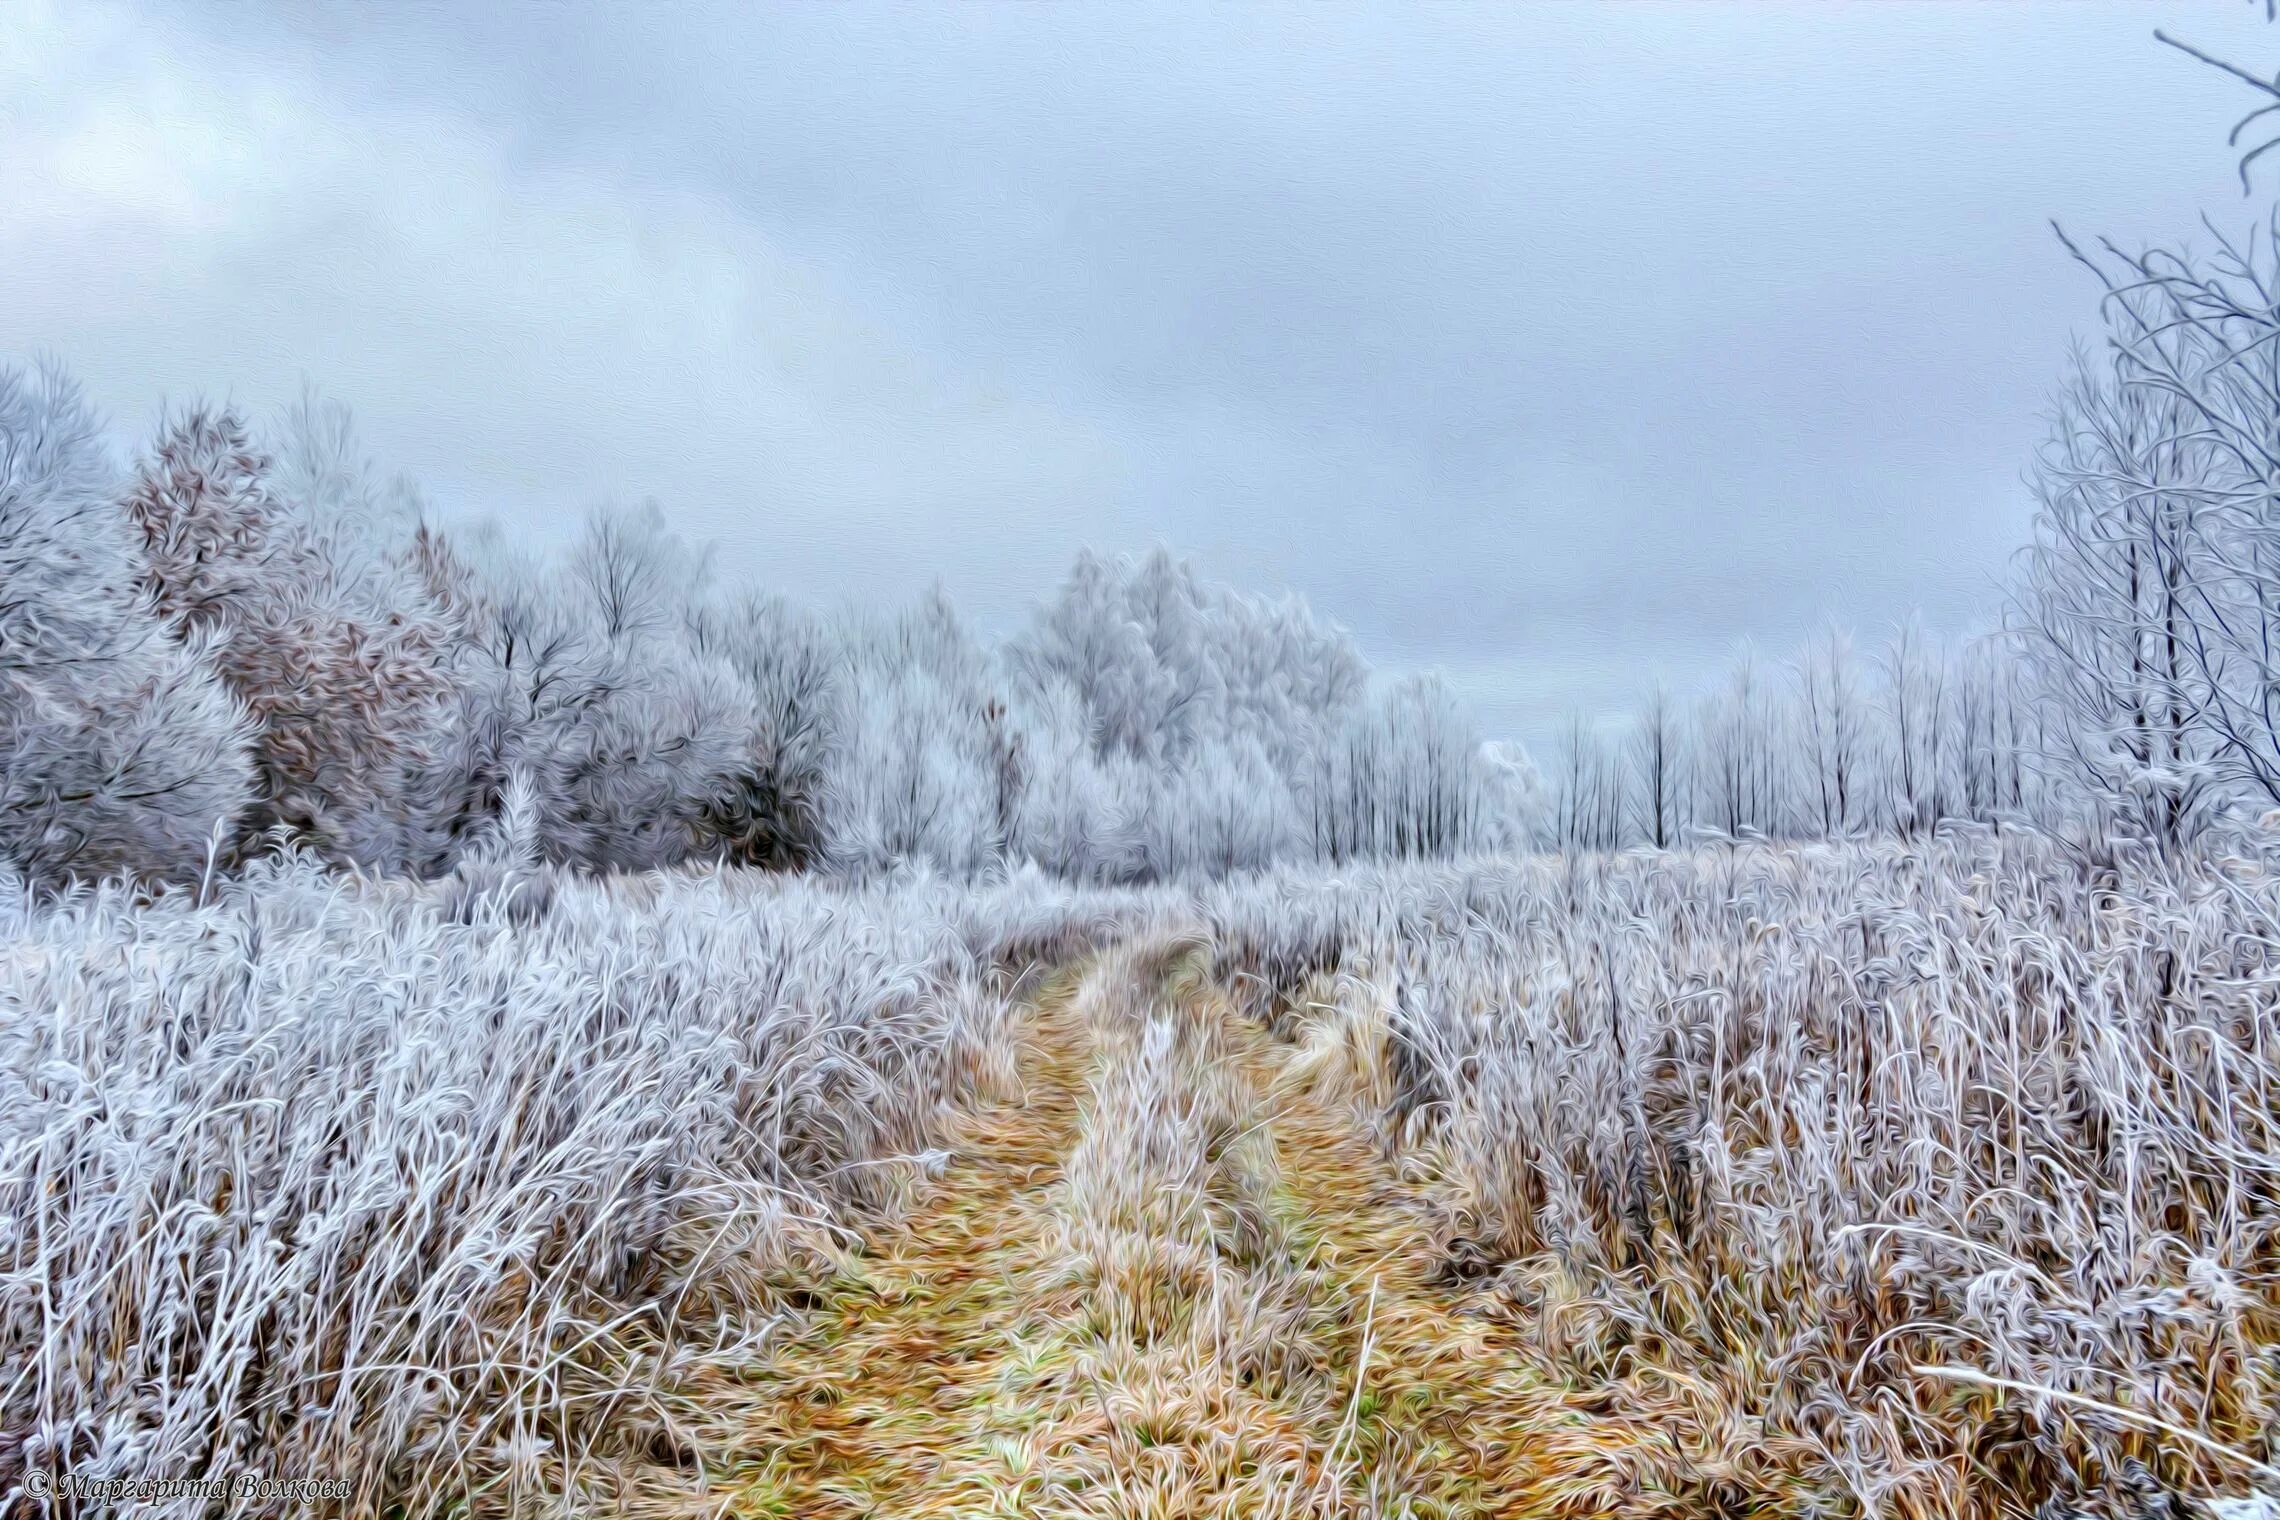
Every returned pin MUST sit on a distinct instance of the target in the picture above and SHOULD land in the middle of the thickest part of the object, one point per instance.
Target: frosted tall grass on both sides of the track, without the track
(1896, 1179)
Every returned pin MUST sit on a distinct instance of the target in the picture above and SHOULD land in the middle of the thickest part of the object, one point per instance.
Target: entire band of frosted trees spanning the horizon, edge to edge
(238, 644)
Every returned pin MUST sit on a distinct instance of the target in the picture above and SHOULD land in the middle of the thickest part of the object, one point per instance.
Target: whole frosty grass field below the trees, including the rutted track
(1932, 1179)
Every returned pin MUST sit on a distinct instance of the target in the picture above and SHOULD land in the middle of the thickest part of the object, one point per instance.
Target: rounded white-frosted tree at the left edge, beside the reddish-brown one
(120, 746)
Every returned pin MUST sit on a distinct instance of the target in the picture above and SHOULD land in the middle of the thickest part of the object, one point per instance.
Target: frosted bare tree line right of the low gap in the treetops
(2133, 687)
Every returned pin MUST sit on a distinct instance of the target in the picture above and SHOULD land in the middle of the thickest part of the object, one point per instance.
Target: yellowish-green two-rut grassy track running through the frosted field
(1173, 1277)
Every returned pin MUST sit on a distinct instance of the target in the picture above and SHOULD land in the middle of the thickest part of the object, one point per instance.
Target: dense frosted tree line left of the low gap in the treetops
(241, 644)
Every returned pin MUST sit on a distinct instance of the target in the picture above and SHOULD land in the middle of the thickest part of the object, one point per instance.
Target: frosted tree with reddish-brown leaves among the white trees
(327, 639)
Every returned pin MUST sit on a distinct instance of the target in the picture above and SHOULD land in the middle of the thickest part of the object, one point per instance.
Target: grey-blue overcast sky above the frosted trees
(1558, 350)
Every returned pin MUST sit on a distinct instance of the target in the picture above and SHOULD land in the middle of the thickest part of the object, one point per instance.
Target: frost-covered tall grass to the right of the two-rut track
(1891, 1179)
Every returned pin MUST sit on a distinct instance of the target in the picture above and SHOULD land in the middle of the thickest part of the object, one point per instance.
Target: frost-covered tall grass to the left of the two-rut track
(343, 1179)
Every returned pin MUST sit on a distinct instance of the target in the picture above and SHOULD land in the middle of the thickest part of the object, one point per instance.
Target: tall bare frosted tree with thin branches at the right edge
(2151, 600)
